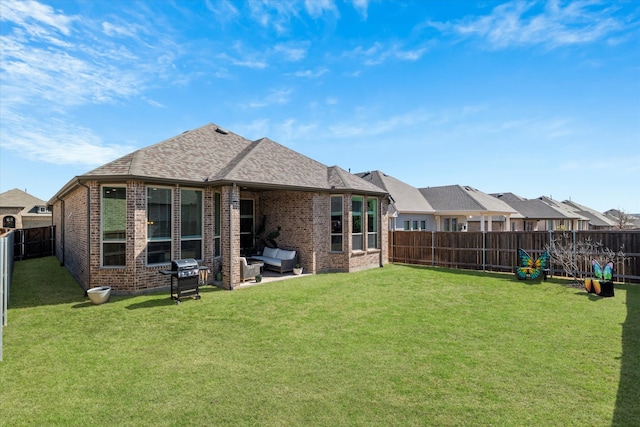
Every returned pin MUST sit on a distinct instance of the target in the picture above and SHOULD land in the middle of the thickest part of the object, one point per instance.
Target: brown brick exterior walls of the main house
(304, 218)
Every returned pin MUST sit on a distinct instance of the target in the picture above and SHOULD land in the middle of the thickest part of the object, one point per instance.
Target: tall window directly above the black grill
(191, 224)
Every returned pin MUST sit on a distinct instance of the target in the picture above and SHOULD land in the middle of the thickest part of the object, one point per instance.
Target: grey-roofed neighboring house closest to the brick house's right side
(409, 210)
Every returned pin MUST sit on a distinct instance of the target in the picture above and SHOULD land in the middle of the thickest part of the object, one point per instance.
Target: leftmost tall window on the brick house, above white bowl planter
(114, 226)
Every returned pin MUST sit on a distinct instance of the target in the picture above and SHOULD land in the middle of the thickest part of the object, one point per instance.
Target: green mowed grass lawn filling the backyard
(399, 345)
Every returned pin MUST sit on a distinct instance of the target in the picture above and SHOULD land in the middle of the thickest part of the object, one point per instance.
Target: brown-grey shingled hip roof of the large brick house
(211, 154)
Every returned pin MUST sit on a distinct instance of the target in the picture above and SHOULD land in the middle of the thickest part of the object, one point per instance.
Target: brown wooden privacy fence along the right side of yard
(498, 251)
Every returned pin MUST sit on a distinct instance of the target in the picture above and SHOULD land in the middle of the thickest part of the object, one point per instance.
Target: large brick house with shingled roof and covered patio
(203, 194)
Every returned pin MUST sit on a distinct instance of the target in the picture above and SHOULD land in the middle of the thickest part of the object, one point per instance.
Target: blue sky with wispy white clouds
(534, 98)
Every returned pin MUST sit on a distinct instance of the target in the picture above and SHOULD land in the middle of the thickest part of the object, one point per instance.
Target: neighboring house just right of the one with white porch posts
(542, 214)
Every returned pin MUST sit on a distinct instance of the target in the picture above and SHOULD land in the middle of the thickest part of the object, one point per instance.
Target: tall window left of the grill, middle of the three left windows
(158, 225)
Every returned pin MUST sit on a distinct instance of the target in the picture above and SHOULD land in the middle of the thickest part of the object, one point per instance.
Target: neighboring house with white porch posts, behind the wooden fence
(464, 208)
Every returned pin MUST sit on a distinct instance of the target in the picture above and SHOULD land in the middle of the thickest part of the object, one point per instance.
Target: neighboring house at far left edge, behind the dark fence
(19, 209)
